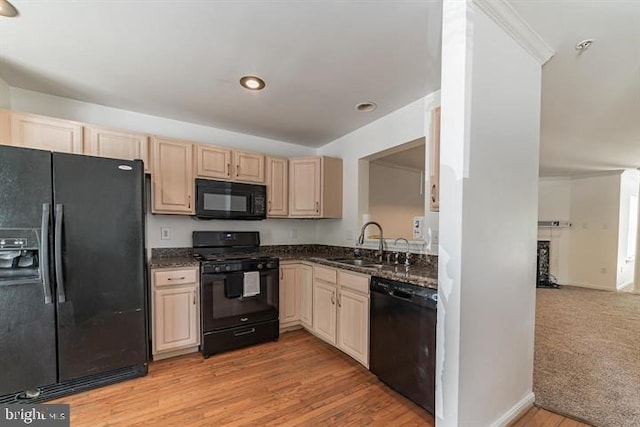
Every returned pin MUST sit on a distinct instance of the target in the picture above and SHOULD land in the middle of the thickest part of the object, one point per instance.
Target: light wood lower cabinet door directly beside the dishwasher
(353, 325)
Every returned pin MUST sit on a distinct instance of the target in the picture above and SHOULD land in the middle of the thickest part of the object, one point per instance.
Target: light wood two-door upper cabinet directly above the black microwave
(215, 162)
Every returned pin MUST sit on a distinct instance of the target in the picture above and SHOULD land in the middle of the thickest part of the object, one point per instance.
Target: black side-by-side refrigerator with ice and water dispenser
(72, 273)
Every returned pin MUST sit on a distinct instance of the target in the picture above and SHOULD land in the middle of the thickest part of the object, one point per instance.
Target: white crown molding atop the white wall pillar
(509, 20)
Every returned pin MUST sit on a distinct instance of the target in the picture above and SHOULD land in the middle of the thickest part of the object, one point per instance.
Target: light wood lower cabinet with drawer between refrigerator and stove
(175, 308)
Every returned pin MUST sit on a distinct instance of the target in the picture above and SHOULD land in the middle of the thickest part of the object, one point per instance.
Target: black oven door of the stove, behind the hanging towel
(223, 306)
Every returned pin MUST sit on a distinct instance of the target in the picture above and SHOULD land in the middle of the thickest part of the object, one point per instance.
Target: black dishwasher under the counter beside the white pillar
(403, 338)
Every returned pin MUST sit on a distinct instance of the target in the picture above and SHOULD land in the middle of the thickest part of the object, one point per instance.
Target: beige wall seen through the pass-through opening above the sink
(396, 196)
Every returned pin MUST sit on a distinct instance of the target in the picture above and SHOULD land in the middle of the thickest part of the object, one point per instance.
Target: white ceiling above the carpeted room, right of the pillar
(590, 100)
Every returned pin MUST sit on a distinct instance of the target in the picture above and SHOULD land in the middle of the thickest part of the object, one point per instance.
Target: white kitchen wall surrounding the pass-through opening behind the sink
(404, 125)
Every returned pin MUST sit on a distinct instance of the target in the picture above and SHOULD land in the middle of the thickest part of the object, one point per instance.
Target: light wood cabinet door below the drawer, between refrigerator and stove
(175, 318)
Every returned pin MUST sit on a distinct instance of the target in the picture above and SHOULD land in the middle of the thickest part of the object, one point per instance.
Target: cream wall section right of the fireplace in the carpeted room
(595, 213)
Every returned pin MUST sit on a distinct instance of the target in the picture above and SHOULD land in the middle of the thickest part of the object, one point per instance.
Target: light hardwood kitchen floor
(297, 381)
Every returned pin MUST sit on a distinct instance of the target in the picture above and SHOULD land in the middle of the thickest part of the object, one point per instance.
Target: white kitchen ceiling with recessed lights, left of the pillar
(183, 59)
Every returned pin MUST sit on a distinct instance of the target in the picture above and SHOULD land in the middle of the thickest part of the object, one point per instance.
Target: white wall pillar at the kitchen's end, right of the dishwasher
(488, 214)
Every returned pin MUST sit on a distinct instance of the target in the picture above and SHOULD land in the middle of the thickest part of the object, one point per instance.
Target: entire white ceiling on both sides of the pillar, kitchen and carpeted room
(183, 60)
